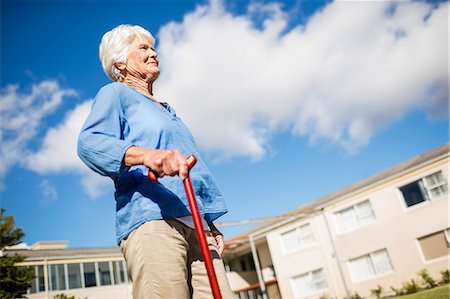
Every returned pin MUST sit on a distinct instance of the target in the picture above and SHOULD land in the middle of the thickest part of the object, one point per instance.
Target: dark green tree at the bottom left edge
(14, 280)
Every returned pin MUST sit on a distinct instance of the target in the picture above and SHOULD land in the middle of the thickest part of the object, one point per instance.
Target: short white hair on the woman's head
(114, 47)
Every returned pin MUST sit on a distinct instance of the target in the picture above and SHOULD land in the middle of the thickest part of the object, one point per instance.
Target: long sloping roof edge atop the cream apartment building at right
(315, 205)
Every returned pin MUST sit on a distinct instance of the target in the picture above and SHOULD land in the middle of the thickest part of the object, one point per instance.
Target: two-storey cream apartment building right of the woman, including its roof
(378, 232)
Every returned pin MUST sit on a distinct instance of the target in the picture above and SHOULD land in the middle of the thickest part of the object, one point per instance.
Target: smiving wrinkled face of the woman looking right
(142, 61)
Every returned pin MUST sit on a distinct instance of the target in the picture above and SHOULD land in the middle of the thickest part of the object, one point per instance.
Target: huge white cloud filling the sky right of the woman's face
(353, 69)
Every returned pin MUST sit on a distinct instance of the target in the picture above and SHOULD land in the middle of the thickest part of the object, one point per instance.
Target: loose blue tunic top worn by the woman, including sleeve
(122, 117)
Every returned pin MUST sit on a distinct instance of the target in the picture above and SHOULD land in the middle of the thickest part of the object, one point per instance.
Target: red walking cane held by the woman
(191, 160)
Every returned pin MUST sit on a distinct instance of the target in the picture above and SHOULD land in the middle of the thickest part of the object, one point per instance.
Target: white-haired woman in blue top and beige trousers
(128, 133)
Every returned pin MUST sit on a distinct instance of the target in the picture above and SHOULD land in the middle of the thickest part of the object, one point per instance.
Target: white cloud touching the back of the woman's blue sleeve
(58, 152)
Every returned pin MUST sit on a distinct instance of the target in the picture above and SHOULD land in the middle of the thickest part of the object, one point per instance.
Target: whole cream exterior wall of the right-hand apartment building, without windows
(396, 228)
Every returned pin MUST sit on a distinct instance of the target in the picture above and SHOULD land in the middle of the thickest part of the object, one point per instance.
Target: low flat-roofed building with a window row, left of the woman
(83, 273)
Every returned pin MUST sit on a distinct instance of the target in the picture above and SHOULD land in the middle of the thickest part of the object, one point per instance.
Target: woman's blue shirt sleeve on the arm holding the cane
(101, 144)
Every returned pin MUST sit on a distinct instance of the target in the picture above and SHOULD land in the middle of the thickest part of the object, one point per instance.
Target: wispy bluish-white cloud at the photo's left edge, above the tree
(21, 116)
